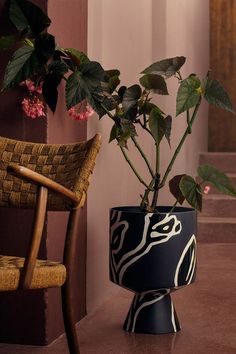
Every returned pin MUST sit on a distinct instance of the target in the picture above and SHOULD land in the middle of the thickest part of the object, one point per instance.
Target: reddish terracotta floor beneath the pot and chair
(206, 310)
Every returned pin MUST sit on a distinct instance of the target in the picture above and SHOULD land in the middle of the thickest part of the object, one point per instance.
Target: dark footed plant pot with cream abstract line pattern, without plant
(152, 254)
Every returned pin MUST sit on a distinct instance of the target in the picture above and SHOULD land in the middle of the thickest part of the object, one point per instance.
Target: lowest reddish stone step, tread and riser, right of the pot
(220, 230)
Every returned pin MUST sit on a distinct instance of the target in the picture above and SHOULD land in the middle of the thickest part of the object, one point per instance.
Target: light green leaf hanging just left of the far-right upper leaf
(188, 94)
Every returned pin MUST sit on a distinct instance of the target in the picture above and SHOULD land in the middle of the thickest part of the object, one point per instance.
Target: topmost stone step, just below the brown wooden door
(224, 161)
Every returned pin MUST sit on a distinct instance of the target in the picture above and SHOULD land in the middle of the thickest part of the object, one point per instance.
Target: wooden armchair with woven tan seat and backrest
(45, 177)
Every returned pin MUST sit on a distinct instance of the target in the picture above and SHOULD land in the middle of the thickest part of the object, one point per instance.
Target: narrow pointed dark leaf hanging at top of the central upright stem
(157, 125)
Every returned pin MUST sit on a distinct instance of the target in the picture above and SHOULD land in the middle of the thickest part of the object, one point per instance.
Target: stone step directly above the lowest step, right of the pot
(219, 205)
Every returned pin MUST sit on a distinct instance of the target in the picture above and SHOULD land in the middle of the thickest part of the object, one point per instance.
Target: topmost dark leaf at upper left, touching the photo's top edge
(25, 15)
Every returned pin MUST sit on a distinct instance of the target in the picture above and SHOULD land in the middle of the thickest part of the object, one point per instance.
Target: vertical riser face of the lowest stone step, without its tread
(219, 232)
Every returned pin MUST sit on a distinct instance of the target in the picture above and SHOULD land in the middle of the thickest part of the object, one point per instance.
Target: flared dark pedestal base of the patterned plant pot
(152, 312)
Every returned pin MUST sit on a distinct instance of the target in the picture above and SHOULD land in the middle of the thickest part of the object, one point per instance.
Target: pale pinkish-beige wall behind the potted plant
(130, 35)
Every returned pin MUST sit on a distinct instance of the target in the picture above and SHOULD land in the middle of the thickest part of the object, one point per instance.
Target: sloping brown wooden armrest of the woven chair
(45, 181)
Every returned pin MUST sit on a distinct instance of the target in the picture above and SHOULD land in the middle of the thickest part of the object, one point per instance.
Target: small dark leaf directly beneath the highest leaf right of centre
(155, 83)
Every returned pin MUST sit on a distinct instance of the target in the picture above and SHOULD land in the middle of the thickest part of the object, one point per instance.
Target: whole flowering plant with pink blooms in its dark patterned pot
(152, 247)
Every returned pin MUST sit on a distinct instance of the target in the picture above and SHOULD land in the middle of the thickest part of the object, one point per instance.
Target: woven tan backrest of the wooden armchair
(67, 164)
